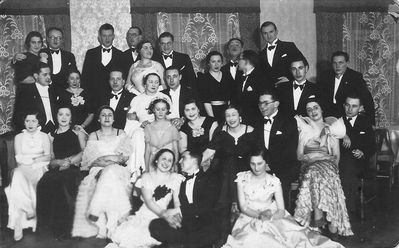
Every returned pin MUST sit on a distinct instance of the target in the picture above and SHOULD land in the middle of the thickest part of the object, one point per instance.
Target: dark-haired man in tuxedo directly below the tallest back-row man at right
(293, 95)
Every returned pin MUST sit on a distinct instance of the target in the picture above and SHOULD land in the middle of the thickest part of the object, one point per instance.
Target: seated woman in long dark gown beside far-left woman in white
(57, 189)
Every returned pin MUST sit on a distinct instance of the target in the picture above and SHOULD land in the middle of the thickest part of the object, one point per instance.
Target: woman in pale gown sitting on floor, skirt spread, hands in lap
(263, 221)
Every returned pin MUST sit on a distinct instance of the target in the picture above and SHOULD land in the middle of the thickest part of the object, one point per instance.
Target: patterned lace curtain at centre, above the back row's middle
(196, 34)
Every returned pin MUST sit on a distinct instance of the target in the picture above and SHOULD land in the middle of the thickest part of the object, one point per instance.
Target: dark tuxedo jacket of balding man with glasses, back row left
(68, 63)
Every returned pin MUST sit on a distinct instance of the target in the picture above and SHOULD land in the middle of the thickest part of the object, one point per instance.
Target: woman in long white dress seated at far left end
(32, 153)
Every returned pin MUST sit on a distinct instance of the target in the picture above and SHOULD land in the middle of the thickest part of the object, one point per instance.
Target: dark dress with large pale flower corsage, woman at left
(79, 105)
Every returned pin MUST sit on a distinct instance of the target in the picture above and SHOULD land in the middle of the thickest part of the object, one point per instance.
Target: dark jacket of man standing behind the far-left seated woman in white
(28, 99)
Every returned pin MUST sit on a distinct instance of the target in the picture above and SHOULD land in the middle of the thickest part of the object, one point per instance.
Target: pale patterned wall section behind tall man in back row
(88, 16)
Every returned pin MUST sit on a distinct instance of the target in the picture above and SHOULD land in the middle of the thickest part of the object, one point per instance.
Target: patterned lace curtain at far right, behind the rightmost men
(371, 40)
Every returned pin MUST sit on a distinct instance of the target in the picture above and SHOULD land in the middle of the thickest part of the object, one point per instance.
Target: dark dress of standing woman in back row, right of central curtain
(213, 90)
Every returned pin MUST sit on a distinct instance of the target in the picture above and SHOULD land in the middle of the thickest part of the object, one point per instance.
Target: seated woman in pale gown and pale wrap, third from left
(103, 196)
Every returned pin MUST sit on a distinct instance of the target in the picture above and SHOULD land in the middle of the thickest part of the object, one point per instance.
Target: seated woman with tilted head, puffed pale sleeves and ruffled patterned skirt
(320, 199)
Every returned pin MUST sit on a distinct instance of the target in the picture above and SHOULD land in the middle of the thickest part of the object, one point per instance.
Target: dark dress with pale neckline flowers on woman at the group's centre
(198, 140)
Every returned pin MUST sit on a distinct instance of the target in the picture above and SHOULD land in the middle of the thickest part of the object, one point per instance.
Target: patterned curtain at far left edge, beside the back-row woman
(13, 32)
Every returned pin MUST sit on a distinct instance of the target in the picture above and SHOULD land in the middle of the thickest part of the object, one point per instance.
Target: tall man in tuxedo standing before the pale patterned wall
(97, 64)
